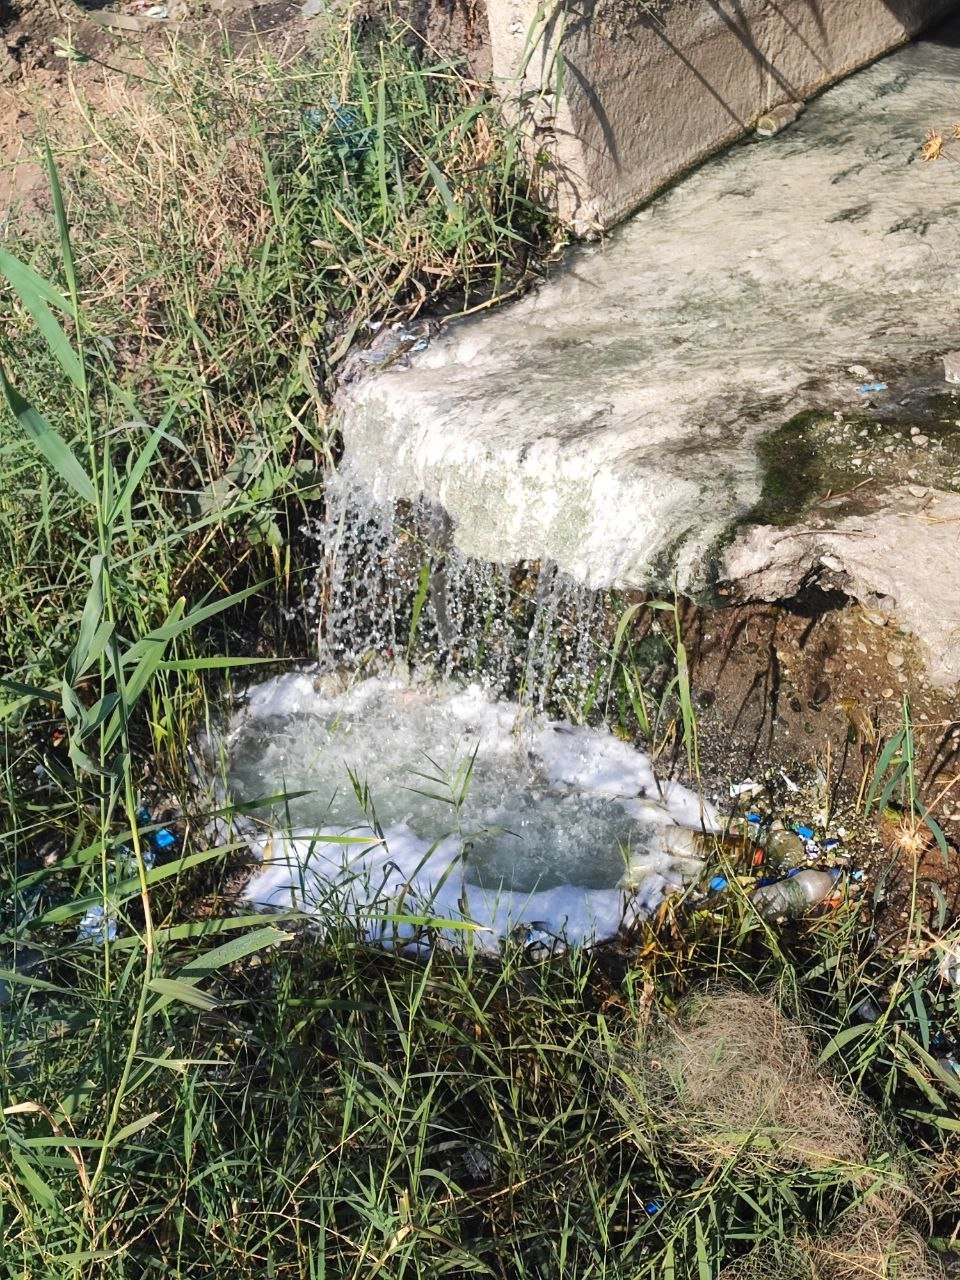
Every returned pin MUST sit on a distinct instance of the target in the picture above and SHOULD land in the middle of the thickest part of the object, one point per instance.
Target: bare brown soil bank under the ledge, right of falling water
(812, 691)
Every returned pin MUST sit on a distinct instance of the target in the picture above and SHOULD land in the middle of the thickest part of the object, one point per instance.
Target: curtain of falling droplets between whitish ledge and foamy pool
(392, 587)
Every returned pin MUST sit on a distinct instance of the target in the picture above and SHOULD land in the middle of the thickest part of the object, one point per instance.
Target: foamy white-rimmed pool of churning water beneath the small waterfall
(390, 802)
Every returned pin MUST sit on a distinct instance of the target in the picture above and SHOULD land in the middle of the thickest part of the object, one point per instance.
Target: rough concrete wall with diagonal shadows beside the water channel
(650, 89)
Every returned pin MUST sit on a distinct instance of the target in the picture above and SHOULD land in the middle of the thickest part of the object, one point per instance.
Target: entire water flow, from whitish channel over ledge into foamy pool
(604, 432)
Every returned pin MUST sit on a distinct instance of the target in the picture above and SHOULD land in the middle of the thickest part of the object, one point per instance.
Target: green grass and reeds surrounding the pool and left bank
(212, 1094)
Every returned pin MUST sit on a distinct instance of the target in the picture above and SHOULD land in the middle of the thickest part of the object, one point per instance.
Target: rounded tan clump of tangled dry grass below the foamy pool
(734, 1076)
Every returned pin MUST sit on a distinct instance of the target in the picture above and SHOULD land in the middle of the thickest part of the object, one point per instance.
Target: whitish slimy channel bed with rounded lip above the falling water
(610, 422)
